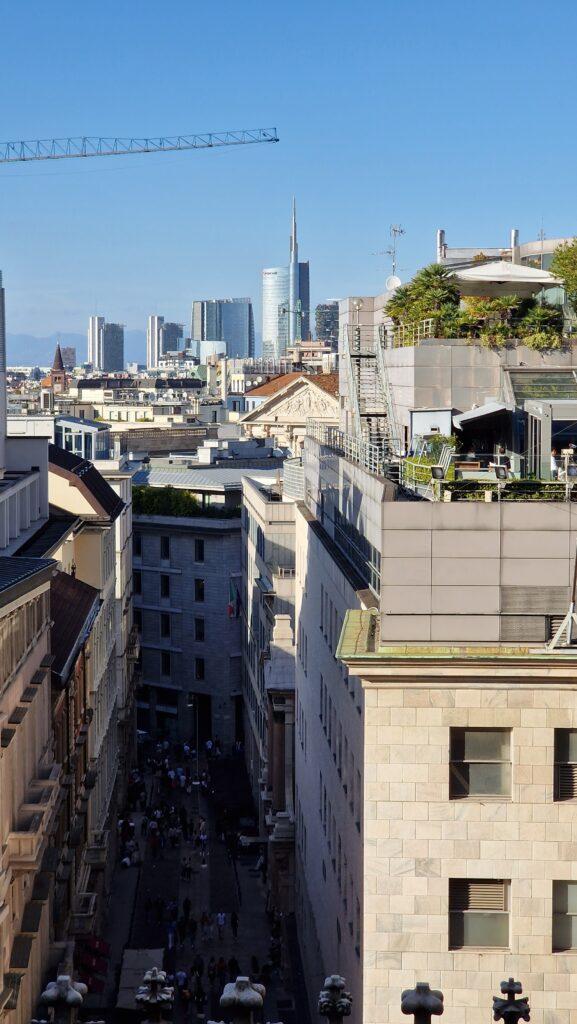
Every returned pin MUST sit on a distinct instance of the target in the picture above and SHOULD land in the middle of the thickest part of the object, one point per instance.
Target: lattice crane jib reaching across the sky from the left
(64, 149)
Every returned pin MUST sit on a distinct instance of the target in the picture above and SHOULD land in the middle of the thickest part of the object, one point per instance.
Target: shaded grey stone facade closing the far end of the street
(187, 573)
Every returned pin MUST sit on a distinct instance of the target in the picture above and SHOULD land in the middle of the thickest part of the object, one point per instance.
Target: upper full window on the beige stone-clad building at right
(480, 763)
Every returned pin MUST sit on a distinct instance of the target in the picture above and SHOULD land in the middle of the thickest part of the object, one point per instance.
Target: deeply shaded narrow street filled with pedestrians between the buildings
(148, 901)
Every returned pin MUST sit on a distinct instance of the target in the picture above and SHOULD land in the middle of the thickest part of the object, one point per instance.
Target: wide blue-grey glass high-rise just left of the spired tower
(231, 321)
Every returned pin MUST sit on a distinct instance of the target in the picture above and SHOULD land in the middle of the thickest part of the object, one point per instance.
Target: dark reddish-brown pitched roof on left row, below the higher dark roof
(73, 606)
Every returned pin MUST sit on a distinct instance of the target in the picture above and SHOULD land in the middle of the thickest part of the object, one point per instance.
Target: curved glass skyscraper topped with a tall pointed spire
(286, 303)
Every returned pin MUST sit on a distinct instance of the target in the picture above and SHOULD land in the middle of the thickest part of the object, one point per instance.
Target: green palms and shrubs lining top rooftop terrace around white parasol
(434, 294)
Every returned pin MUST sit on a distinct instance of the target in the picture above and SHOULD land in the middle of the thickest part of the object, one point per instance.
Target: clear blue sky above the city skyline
(450, 114)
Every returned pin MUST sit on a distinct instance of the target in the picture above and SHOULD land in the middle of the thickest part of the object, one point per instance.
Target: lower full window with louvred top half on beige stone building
(479, 914)
